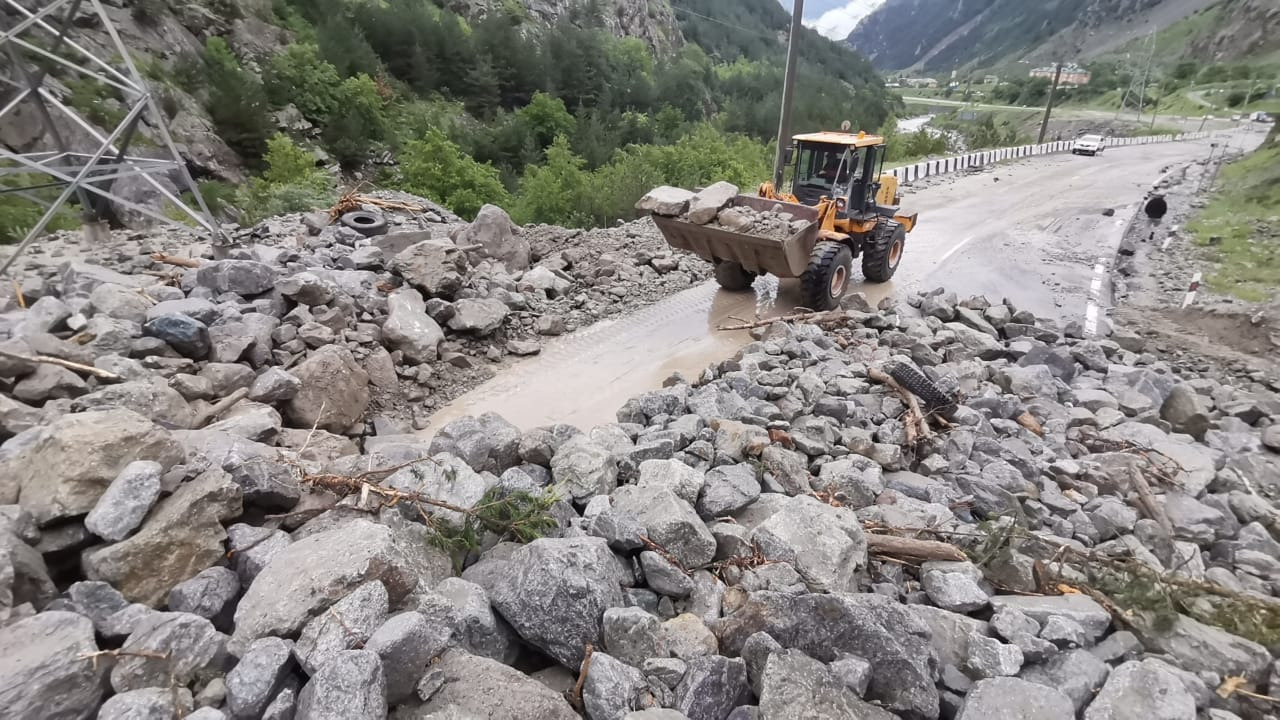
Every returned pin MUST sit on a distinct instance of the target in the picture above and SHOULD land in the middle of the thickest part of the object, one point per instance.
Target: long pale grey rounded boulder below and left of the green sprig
(312, 575)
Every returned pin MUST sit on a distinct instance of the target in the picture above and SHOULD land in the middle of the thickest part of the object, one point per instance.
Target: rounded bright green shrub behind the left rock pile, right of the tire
(438, 170)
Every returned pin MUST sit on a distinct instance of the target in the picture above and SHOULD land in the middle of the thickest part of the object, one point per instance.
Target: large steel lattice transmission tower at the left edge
(38, 37)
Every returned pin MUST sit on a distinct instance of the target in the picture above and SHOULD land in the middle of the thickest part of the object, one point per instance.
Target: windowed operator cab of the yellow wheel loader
(840, 166)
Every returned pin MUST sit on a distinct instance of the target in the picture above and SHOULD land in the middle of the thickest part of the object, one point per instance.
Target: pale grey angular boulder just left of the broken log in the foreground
(822, 543)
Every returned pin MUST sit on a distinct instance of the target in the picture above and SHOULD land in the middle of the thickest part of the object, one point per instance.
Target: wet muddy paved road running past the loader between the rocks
(1032, 233)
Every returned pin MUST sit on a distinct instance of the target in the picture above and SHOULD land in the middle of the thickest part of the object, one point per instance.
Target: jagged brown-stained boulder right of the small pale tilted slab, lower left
(181, 537)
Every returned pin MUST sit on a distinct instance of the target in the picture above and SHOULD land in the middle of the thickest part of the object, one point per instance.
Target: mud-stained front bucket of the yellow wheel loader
(785, 258)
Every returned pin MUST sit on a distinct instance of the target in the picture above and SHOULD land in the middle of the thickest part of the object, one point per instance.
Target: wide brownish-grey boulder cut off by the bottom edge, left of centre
(478, 687)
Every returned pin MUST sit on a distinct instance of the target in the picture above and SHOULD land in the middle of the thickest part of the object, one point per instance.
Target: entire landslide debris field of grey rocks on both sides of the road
(213, 504)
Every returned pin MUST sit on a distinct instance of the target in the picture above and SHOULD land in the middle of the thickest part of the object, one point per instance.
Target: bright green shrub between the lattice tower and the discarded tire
(291, 184)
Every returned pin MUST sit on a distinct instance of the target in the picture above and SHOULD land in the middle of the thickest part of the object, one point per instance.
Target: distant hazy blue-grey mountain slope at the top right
(936, 35)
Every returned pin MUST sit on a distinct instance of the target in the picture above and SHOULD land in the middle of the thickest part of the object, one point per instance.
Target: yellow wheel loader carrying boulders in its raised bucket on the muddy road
(843, 206)
